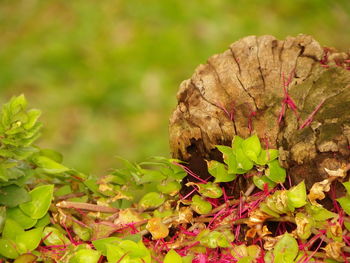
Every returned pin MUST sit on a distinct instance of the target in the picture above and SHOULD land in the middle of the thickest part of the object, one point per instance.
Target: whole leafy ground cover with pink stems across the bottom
(53, 213)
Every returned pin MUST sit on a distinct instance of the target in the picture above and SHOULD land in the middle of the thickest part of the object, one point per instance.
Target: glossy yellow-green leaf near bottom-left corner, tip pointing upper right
(29, 240)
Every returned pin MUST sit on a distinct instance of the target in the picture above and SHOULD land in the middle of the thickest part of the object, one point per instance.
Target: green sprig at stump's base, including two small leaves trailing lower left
(240, 158)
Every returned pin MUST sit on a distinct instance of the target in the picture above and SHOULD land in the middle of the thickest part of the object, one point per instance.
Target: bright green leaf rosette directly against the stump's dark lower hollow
(242, 157)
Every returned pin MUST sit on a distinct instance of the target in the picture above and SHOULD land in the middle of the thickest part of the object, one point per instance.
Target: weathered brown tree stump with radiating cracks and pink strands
(251, 87)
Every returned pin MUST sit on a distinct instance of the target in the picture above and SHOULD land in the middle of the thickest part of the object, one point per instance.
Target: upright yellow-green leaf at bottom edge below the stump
(286, 249)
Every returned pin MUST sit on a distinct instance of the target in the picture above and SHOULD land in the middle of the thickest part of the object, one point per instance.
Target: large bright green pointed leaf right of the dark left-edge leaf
(40, 203)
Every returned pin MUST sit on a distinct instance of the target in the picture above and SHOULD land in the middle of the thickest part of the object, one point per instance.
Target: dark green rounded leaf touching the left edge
(13, 195)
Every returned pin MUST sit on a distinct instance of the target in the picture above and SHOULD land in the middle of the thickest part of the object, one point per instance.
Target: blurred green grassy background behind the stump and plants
(105, 73)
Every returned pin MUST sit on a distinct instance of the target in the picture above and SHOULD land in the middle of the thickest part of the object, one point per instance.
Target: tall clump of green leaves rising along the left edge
(24, 212)
